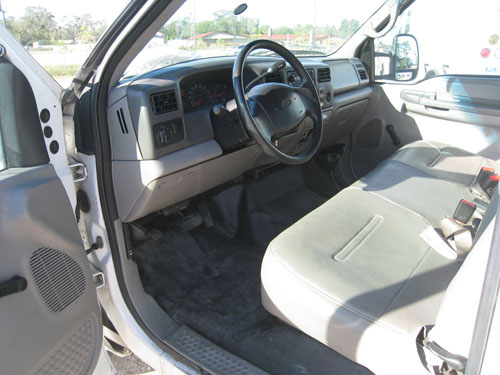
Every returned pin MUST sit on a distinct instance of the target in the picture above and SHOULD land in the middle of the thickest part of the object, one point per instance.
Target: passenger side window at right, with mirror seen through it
(433, 38)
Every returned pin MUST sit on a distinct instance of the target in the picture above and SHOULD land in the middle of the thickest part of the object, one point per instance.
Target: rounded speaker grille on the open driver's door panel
(58, 277)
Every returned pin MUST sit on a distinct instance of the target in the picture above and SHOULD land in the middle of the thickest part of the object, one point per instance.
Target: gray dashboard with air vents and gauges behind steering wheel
(170, 144)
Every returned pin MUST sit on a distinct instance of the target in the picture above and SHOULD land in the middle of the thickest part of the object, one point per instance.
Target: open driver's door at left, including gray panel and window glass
(50, 321)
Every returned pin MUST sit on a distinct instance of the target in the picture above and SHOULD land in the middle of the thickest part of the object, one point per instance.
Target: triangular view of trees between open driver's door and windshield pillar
(58, 33)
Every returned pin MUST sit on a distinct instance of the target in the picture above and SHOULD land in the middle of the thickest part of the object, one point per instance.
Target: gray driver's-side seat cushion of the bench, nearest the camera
(355, 275)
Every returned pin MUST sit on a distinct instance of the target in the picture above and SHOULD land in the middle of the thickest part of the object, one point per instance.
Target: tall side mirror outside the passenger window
(405, 57)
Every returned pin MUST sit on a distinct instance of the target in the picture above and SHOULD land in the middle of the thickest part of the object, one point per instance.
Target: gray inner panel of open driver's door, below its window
(55, 322)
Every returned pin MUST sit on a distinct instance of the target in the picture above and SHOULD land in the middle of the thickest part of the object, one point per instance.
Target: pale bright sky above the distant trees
(328, 12)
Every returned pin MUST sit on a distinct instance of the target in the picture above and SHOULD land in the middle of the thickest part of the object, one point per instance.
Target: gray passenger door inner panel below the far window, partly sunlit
(463, 111)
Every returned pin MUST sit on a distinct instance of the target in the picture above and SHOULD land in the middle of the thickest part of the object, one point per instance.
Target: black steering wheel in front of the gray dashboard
(272, 111)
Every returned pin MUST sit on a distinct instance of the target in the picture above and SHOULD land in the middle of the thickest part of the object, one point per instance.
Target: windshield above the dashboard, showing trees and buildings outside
(201, 29)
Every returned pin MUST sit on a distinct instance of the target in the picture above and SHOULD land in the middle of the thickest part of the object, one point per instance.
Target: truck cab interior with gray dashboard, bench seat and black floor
(275, 213)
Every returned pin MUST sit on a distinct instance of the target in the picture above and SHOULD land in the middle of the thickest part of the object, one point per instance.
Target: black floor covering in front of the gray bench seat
(209, 278)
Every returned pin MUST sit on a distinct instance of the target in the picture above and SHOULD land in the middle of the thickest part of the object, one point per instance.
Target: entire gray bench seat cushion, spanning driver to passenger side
(356, 274)
